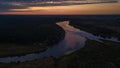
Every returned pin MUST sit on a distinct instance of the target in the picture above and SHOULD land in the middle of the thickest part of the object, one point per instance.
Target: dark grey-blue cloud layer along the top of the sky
(6, 5)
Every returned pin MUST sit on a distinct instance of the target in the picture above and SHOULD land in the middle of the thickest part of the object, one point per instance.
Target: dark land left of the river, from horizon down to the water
(20, 35)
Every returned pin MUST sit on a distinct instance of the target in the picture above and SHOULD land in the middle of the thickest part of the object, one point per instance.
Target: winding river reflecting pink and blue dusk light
(74, 40)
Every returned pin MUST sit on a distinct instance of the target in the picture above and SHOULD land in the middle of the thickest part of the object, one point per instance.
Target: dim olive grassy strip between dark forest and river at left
(17, 49)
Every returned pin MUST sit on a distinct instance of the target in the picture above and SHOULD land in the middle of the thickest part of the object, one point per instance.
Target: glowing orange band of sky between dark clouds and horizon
(109, 8)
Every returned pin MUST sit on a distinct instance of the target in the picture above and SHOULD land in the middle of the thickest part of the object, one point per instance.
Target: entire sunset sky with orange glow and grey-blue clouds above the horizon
(59, 7)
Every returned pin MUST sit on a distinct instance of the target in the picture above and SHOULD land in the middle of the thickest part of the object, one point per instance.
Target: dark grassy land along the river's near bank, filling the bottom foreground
(93, 55)
